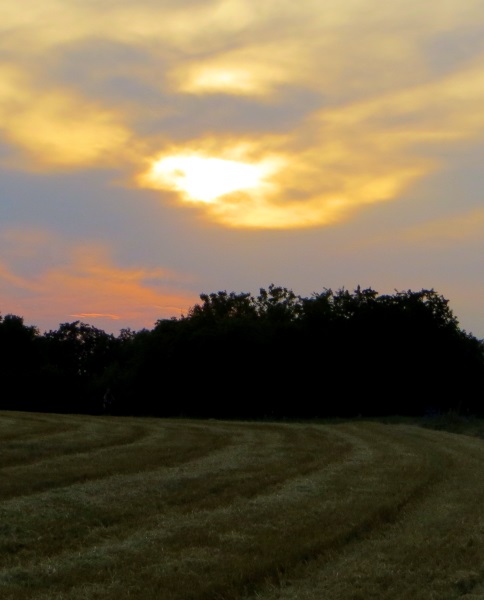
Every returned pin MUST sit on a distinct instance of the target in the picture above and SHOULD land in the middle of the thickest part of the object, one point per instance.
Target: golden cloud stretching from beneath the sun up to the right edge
(340, 159)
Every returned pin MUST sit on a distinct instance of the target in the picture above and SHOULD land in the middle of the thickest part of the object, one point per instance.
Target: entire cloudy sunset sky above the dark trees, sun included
(151, 151)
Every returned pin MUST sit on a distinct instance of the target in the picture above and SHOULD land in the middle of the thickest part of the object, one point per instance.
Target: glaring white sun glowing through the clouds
(204, 179)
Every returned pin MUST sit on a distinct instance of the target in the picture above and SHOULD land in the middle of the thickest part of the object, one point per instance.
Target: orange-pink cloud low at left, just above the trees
(84, 283)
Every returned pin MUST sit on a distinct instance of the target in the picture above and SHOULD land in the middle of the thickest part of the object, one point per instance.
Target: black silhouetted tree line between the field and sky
(275, 355)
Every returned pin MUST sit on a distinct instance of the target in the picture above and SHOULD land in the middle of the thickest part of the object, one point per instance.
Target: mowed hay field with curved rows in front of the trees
(115, 508)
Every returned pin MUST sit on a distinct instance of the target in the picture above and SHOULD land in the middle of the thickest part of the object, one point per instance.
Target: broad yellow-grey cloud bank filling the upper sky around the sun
(364, 108)
